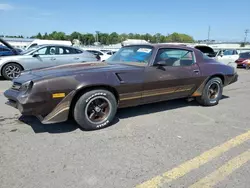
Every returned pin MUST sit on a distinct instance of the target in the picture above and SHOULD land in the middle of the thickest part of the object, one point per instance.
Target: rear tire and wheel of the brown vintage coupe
(206, 98)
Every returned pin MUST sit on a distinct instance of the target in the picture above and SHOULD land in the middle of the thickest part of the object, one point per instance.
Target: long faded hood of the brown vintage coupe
(78, 68)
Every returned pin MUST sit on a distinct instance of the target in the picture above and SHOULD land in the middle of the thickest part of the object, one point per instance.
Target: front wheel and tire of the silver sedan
(11, 66)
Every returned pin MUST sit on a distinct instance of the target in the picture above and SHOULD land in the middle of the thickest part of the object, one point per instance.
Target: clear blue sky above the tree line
(228, 19)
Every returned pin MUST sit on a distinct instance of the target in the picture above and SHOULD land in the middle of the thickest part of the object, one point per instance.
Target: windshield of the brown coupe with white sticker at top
(130, 54)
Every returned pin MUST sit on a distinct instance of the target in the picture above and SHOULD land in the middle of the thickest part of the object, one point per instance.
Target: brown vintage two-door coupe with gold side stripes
(135, 75)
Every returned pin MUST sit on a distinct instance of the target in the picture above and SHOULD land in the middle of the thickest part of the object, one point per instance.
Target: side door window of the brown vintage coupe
(175, 57)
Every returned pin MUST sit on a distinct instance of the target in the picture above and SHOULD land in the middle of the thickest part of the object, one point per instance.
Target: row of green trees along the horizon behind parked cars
(112, 38)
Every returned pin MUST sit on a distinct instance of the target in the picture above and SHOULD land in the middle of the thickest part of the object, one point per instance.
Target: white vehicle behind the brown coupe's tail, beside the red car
(227, 56)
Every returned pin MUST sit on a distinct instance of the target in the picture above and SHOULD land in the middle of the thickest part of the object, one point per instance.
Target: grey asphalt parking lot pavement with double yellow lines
(168, 144)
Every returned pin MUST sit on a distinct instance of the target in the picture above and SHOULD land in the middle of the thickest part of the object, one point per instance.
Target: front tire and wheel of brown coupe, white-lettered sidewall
(87, 105)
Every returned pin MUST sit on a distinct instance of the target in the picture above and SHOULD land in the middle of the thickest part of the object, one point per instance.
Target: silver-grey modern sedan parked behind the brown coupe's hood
(42, 56)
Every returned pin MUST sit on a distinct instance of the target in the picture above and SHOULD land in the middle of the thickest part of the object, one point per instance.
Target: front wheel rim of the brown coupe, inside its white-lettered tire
(98, 110)
